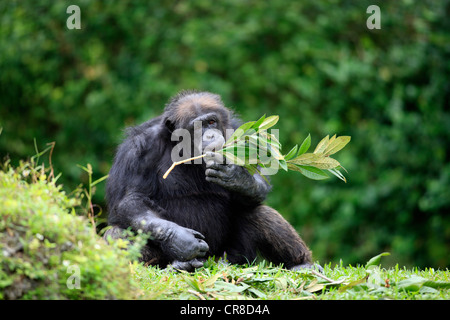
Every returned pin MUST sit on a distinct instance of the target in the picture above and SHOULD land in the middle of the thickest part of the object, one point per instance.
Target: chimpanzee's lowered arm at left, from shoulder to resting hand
(132, 182)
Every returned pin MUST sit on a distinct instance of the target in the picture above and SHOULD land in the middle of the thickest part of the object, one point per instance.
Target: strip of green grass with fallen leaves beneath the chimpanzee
(219, 281)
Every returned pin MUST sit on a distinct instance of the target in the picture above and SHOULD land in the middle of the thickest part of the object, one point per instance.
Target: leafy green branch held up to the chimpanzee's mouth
(254, 148)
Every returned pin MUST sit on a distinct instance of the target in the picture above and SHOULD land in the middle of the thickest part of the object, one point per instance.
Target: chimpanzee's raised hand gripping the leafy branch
(235, 178)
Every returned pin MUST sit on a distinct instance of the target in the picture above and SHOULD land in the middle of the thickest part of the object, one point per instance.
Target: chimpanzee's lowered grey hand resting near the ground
(184, 244)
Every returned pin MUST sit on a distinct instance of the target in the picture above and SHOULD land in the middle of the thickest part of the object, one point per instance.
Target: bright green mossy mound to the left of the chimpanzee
(47, 251)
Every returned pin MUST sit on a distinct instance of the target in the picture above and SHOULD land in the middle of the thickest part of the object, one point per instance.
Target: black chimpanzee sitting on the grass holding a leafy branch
(201, 210)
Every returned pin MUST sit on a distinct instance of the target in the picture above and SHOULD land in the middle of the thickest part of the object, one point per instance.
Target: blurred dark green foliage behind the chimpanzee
(314, 63)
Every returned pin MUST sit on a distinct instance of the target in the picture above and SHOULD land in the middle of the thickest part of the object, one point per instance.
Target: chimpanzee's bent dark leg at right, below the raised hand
(264, 230)
